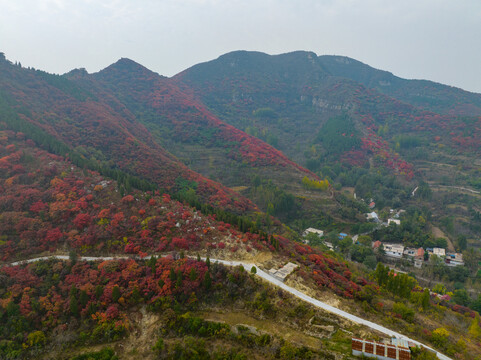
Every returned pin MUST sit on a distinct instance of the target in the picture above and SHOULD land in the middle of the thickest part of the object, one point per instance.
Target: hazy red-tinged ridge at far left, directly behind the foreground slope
(95, 127)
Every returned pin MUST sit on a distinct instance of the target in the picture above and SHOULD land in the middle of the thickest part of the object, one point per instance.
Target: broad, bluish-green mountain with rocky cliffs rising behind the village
(331, 115)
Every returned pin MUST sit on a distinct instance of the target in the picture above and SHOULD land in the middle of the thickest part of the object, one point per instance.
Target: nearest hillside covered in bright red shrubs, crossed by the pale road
(49, 206)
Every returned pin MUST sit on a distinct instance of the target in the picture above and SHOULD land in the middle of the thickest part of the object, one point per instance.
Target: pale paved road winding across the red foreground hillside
(269, 278)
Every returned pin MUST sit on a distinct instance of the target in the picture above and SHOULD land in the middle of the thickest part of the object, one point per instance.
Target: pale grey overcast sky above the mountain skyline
(439, 40)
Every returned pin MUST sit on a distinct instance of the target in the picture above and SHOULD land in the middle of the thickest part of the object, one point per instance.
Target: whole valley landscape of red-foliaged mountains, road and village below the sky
(223, 167)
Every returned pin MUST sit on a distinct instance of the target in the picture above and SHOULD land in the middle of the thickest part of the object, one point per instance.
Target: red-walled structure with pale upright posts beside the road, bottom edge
(379, 350)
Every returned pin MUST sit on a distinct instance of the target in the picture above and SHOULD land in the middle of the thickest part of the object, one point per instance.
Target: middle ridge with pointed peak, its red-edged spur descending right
(186, 128)
